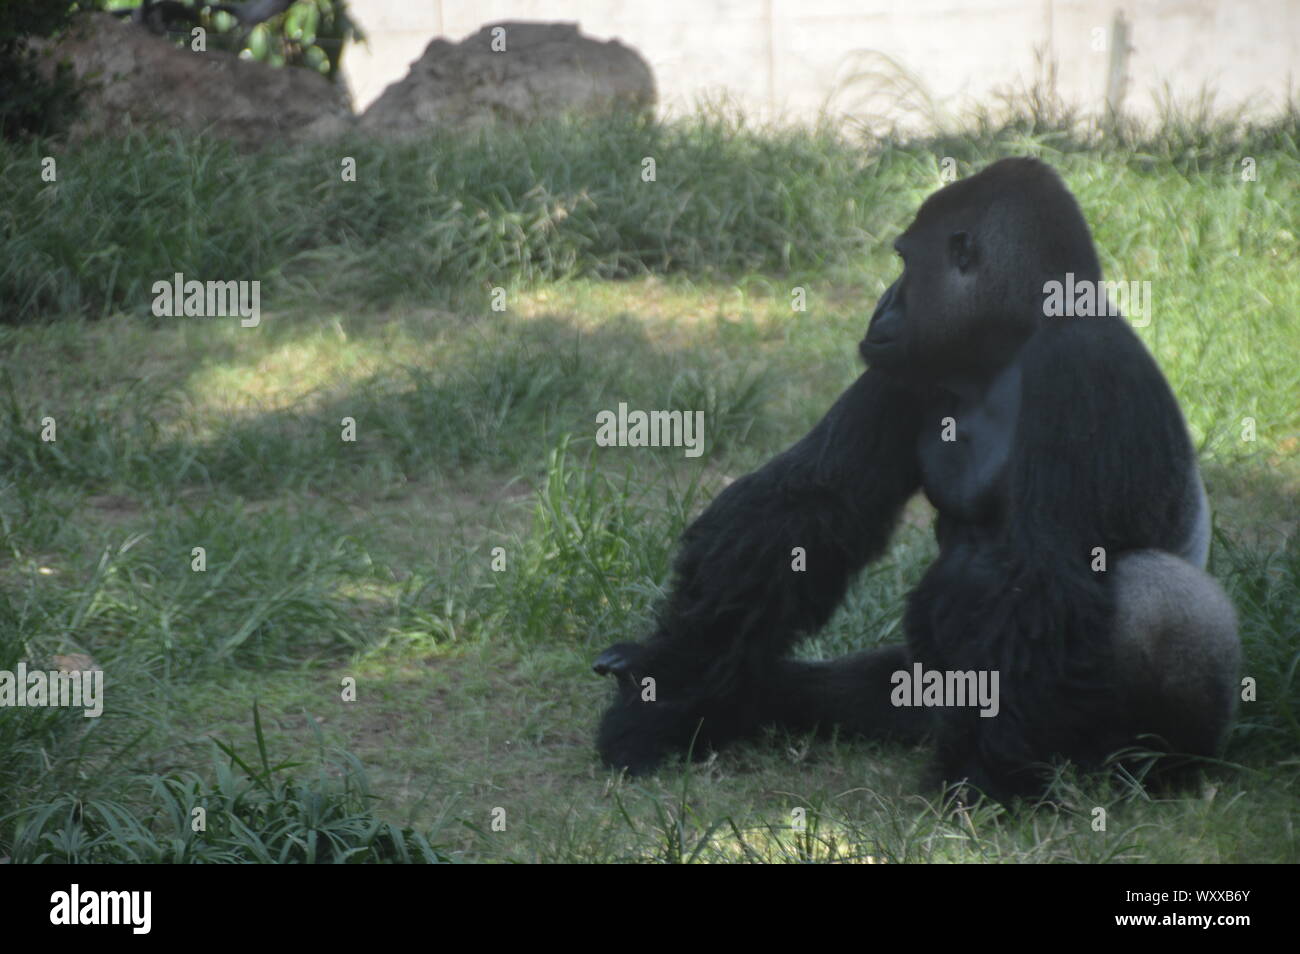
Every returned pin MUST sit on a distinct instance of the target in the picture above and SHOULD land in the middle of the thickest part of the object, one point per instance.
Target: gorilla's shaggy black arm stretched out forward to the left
(739, 601)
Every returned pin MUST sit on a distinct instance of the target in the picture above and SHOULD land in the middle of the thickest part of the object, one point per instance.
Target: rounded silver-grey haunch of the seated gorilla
(1177, 652)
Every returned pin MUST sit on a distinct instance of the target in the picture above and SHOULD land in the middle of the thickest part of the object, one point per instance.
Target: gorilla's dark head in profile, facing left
(976, 261)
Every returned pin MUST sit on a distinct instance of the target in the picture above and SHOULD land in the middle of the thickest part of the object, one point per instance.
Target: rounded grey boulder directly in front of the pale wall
(547, 70)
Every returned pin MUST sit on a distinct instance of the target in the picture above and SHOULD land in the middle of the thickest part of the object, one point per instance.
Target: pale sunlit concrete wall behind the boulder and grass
(792, 58)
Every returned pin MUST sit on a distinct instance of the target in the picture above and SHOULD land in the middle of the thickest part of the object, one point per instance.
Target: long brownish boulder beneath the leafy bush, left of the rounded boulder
(141, 80)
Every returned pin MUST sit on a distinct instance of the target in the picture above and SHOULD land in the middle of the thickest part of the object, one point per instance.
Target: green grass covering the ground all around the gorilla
(465, 558)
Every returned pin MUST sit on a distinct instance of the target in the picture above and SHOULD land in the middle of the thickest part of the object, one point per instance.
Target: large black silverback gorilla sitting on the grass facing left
(1072, 523)
